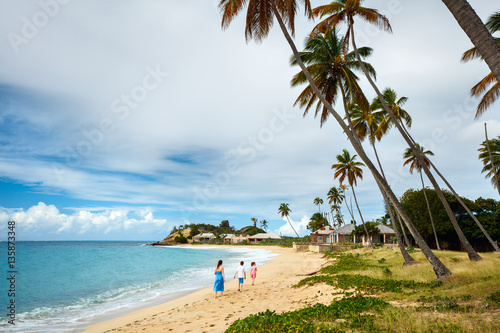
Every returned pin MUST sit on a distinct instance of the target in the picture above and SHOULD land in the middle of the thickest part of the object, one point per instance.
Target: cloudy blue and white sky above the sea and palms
(121, 119)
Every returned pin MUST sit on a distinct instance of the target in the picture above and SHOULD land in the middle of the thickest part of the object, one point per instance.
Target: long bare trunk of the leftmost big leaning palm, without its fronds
(439, 268)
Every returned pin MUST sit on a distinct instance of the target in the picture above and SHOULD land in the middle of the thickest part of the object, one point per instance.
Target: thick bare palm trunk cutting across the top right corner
(477, 33)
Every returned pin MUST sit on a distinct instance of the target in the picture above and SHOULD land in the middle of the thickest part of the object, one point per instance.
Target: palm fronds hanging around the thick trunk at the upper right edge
(493, 25)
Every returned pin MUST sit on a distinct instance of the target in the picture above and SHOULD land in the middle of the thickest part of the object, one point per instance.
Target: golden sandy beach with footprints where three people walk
(201, 312)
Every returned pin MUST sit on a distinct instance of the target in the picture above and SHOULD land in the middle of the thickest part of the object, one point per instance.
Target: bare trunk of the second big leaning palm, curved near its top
(463, 240)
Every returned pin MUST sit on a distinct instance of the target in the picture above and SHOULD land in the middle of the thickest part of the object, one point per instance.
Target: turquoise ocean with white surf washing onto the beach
(65, 286)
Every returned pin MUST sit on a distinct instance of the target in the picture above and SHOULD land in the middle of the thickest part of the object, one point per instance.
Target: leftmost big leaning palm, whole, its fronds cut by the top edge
(230, 8)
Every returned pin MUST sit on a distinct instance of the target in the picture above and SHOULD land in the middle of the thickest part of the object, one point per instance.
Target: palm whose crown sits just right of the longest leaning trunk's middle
(367, 124)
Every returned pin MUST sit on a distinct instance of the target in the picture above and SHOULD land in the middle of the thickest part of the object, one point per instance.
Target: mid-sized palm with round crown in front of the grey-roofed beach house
(347, 167)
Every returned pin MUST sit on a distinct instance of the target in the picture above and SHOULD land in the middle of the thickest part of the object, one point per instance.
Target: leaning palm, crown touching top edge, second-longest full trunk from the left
(345, 11)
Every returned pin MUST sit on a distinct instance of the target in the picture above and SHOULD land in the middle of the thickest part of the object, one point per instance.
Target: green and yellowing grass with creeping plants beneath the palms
(392, 298)
